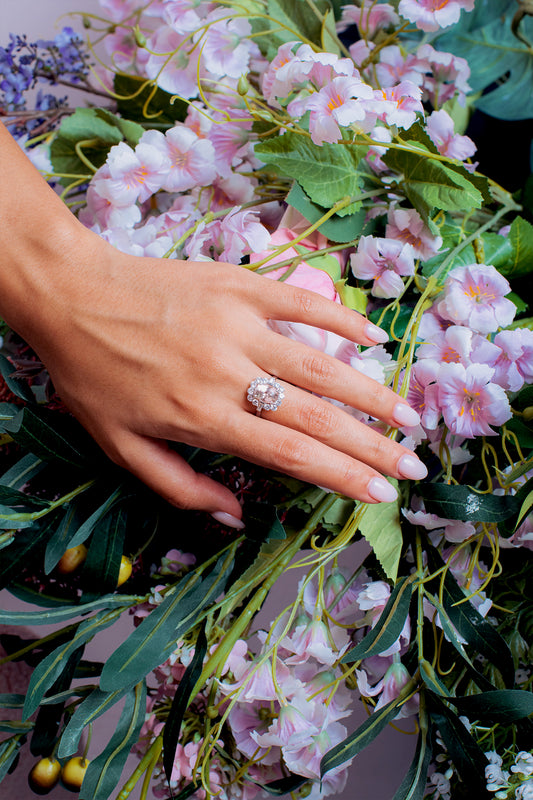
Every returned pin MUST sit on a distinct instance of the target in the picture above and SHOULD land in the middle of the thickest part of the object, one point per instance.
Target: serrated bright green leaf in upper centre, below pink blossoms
(327, 173)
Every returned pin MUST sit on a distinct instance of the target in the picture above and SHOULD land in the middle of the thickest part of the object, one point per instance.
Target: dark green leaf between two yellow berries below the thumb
(101, 568)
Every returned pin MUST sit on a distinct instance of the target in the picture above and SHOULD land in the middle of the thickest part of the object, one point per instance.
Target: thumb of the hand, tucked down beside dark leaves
(168, 474)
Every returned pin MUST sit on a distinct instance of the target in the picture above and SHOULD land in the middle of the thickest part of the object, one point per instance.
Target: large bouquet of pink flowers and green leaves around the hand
(320, 143)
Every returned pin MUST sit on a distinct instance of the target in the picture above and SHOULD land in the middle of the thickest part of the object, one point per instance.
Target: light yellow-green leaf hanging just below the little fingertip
(380, 525)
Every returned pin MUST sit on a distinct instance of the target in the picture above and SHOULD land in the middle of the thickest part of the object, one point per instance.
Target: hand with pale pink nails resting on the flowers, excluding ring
(145, 351)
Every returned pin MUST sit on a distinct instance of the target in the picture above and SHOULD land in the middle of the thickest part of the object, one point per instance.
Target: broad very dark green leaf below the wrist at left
(51, 436)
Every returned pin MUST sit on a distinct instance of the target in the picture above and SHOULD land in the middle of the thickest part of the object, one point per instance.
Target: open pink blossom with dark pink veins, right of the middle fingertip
(470, 402)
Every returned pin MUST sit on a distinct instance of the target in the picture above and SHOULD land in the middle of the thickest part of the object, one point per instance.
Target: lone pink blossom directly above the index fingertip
(384, 260)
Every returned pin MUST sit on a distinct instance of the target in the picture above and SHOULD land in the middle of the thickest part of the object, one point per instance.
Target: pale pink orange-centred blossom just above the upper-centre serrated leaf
(337, 104)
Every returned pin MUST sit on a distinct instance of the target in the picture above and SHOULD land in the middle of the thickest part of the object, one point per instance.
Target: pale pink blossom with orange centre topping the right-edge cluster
(474, 295)
